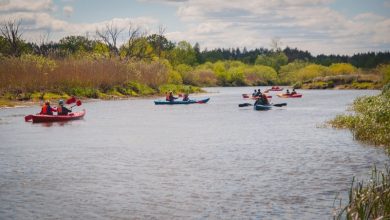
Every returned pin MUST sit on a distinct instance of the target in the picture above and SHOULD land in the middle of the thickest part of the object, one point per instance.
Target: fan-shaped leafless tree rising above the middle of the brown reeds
(109, 35)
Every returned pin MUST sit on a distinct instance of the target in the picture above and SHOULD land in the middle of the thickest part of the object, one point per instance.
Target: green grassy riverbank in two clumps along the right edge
(369, 123)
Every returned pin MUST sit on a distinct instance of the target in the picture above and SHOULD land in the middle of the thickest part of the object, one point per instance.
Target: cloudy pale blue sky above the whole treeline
(342, 27)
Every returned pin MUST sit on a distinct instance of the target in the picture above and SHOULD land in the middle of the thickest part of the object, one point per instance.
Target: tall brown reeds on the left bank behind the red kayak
(29, 74)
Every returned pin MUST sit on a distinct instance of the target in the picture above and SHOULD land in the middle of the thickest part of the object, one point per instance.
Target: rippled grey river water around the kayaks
(131, 159)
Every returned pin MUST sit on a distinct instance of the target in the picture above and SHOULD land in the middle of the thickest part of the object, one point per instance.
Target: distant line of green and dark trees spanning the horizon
(146, 47)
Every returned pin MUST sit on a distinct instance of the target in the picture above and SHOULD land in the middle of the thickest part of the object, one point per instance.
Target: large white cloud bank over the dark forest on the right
(307, 24)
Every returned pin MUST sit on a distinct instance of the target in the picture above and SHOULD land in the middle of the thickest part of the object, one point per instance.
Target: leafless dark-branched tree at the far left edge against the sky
(10, 31)
